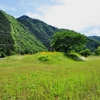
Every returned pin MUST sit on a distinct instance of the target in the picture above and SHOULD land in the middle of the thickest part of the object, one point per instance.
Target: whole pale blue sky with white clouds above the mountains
(82, 16)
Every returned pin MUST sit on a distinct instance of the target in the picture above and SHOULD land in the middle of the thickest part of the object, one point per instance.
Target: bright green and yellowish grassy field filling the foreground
(49, 76)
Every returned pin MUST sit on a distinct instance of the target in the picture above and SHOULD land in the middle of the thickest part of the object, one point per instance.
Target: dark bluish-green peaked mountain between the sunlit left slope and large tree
(41, 30)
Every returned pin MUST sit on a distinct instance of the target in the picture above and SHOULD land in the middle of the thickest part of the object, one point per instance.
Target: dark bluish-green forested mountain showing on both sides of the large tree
(44, 32)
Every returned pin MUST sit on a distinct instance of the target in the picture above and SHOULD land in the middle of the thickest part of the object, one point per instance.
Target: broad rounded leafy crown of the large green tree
(68, 40)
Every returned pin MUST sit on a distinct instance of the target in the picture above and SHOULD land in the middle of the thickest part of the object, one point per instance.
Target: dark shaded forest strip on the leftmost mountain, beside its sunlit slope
(6, 41)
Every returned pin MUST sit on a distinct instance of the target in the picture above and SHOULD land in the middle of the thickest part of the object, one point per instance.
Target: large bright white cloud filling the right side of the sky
(71, 14)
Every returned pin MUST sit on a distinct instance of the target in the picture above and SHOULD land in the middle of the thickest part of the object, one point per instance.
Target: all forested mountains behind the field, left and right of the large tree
(26, 35)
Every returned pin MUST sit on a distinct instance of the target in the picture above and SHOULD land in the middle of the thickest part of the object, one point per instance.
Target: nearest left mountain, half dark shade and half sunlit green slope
(15, 37)
